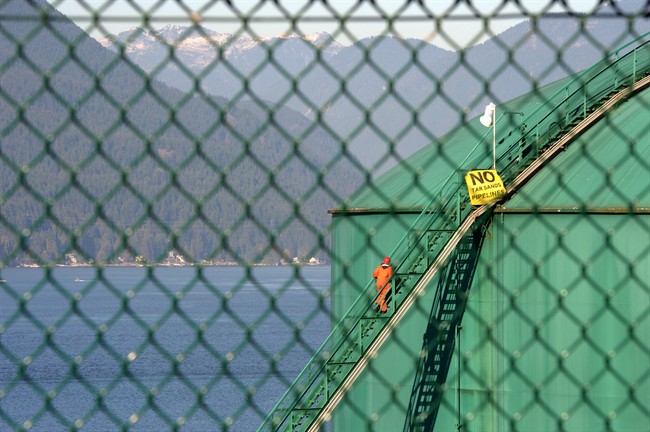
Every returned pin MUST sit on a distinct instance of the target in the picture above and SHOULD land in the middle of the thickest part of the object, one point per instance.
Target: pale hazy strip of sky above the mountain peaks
(448, 24)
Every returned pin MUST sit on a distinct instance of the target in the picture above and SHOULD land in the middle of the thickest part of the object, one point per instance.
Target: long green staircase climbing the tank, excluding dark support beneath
(433, 235)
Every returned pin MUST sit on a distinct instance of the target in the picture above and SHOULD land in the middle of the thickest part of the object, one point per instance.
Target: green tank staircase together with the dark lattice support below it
(436, 235)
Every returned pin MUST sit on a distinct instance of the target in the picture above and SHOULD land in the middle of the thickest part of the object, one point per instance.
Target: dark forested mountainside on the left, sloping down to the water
(101, 162)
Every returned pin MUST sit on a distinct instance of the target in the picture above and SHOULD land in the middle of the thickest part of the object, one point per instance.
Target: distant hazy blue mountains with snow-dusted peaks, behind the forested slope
(366, 93)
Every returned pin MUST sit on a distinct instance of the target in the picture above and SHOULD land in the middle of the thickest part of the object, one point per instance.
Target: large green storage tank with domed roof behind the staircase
(556, 331)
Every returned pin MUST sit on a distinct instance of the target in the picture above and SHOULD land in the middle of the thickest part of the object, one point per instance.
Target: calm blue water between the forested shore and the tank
(96, 321)
